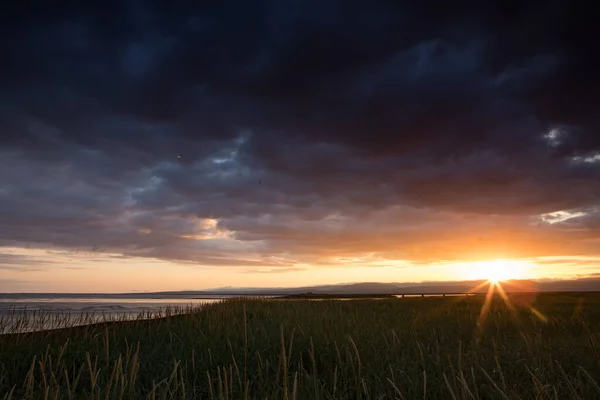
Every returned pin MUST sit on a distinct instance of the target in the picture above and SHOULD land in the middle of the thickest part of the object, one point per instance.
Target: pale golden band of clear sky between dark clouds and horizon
(85, 272)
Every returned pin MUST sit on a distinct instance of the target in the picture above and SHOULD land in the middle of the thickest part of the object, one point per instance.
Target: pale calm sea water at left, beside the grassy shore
(32, 312)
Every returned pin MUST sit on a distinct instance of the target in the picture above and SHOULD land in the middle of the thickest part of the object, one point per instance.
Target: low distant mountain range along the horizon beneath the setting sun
(545, 285)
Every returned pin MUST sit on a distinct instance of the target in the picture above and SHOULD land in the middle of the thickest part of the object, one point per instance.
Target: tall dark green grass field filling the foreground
(411, 348)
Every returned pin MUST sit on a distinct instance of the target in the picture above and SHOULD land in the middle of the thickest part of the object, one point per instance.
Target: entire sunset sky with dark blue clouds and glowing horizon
(148, 146)
